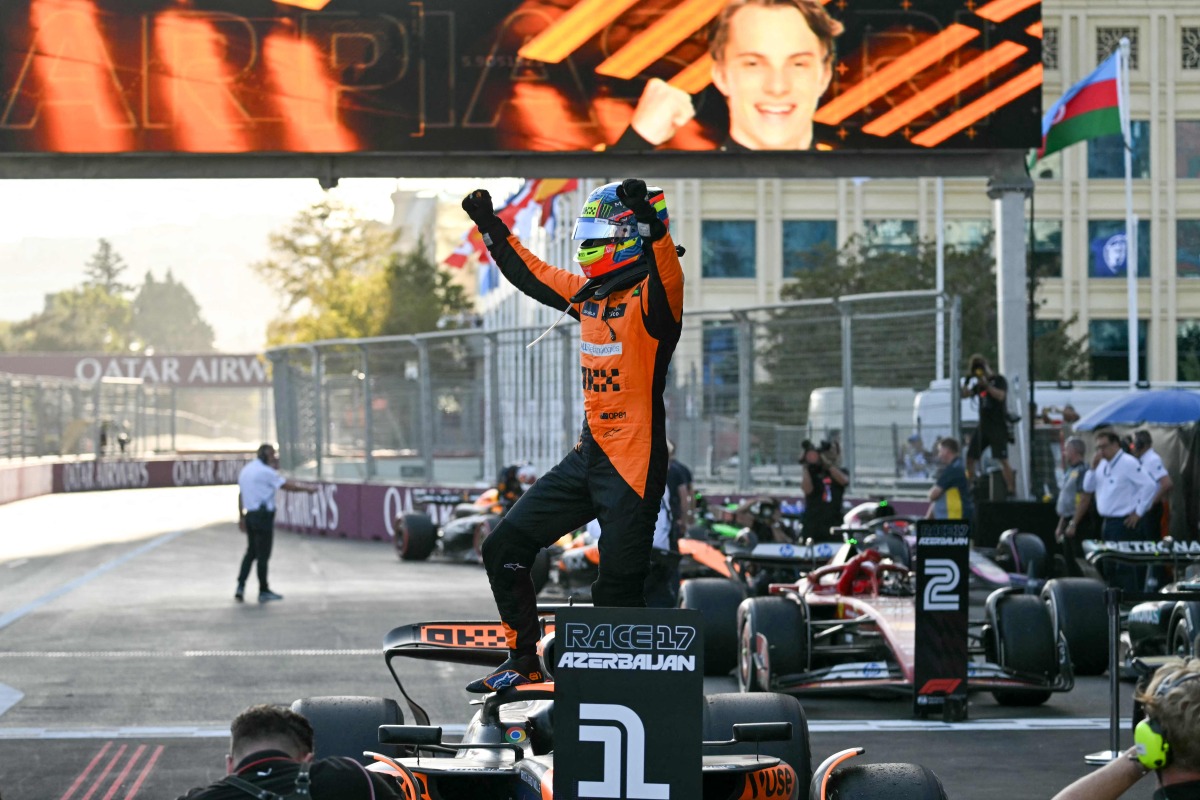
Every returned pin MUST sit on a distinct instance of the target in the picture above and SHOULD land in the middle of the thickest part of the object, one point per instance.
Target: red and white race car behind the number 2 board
(850, 627)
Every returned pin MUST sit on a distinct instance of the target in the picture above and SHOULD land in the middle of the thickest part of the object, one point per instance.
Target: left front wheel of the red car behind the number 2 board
(773, 641)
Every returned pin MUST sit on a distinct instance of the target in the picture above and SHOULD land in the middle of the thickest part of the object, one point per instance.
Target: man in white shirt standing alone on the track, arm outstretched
(257, 484)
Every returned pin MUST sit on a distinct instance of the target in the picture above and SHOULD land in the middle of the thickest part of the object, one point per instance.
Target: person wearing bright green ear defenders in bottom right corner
(1168, 743)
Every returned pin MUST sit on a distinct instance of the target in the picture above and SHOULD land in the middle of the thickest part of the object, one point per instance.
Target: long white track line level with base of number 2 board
(827, 726)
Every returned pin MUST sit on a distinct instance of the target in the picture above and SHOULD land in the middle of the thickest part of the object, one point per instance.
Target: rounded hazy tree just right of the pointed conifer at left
(167, 318)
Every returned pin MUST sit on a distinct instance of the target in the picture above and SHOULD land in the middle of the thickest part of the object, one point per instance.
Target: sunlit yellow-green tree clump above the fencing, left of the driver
(341, 278)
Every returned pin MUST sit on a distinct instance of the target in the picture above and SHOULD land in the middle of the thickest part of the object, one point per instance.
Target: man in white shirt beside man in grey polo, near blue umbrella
(1123, 492)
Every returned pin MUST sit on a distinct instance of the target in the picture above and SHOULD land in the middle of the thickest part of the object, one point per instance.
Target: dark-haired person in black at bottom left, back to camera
(271, 757)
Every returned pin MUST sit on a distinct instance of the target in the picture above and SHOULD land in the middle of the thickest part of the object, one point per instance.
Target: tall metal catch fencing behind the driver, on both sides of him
(747, 388)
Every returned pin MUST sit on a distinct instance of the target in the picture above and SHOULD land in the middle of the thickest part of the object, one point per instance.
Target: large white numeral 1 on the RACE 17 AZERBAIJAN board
(623, 724)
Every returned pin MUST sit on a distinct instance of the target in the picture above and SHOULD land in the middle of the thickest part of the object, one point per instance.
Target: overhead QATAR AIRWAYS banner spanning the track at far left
(191, 371)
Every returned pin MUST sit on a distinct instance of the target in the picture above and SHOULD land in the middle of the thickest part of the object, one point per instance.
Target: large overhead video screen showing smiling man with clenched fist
(512, 76)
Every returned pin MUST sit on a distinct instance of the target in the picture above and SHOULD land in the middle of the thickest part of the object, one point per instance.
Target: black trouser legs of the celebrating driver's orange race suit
(583, 488)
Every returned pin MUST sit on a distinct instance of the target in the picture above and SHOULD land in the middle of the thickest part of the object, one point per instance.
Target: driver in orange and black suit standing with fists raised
(629, 303)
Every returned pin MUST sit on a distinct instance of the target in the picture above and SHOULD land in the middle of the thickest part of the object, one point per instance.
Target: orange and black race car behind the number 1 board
(755, 747)
